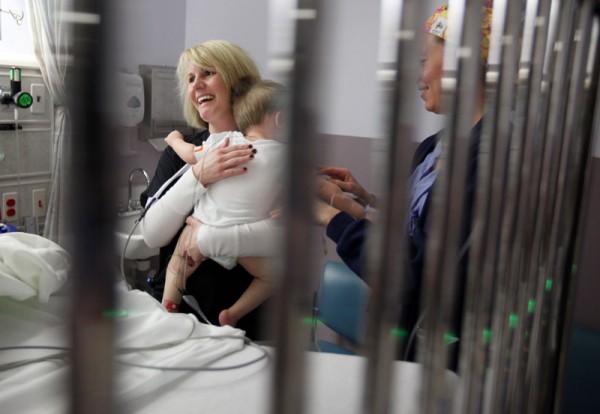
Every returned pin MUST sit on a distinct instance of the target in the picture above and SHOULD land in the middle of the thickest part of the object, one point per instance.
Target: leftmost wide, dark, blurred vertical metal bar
(93, 273)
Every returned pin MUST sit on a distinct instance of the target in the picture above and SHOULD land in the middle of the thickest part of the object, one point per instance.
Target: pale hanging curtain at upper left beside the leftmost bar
(51, 38)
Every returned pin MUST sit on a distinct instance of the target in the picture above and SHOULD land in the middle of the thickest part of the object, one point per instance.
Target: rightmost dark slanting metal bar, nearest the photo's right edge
(562, 235)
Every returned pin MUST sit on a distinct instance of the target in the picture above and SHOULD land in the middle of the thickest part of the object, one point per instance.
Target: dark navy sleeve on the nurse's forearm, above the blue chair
(349, 234)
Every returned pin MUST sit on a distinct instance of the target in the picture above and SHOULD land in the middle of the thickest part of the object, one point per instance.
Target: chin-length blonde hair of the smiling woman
(230, 61)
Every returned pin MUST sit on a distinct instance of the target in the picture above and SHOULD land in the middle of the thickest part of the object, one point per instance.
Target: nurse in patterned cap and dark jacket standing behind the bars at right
(348, 230)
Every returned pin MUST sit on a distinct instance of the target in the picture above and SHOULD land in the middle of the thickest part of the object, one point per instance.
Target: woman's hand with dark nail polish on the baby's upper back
(223, 162)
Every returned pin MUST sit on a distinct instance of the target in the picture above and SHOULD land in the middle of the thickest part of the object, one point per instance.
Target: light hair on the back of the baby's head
(255, 101)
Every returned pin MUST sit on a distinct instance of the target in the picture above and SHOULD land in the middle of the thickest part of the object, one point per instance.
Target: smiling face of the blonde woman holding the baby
(210, 96)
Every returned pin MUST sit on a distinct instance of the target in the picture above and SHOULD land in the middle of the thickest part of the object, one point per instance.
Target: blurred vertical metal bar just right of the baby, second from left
(293, 296)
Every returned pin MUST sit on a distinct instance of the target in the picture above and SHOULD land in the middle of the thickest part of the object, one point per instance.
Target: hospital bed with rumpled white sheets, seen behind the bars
(163, 362)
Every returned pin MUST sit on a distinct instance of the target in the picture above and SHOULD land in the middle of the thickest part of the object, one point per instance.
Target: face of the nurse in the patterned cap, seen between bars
(430, 81)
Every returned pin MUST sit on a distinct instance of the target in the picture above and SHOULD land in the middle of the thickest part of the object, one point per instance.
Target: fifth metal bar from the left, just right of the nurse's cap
(492, 164)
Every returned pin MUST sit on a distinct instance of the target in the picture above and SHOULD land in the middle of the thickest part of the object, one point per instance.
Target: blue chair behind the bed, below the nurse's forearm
(341, 305)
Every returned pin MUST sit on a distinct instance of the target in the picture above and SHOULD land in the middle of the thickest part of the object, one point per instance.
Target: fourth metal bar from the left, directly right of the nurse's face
(442, 280)
